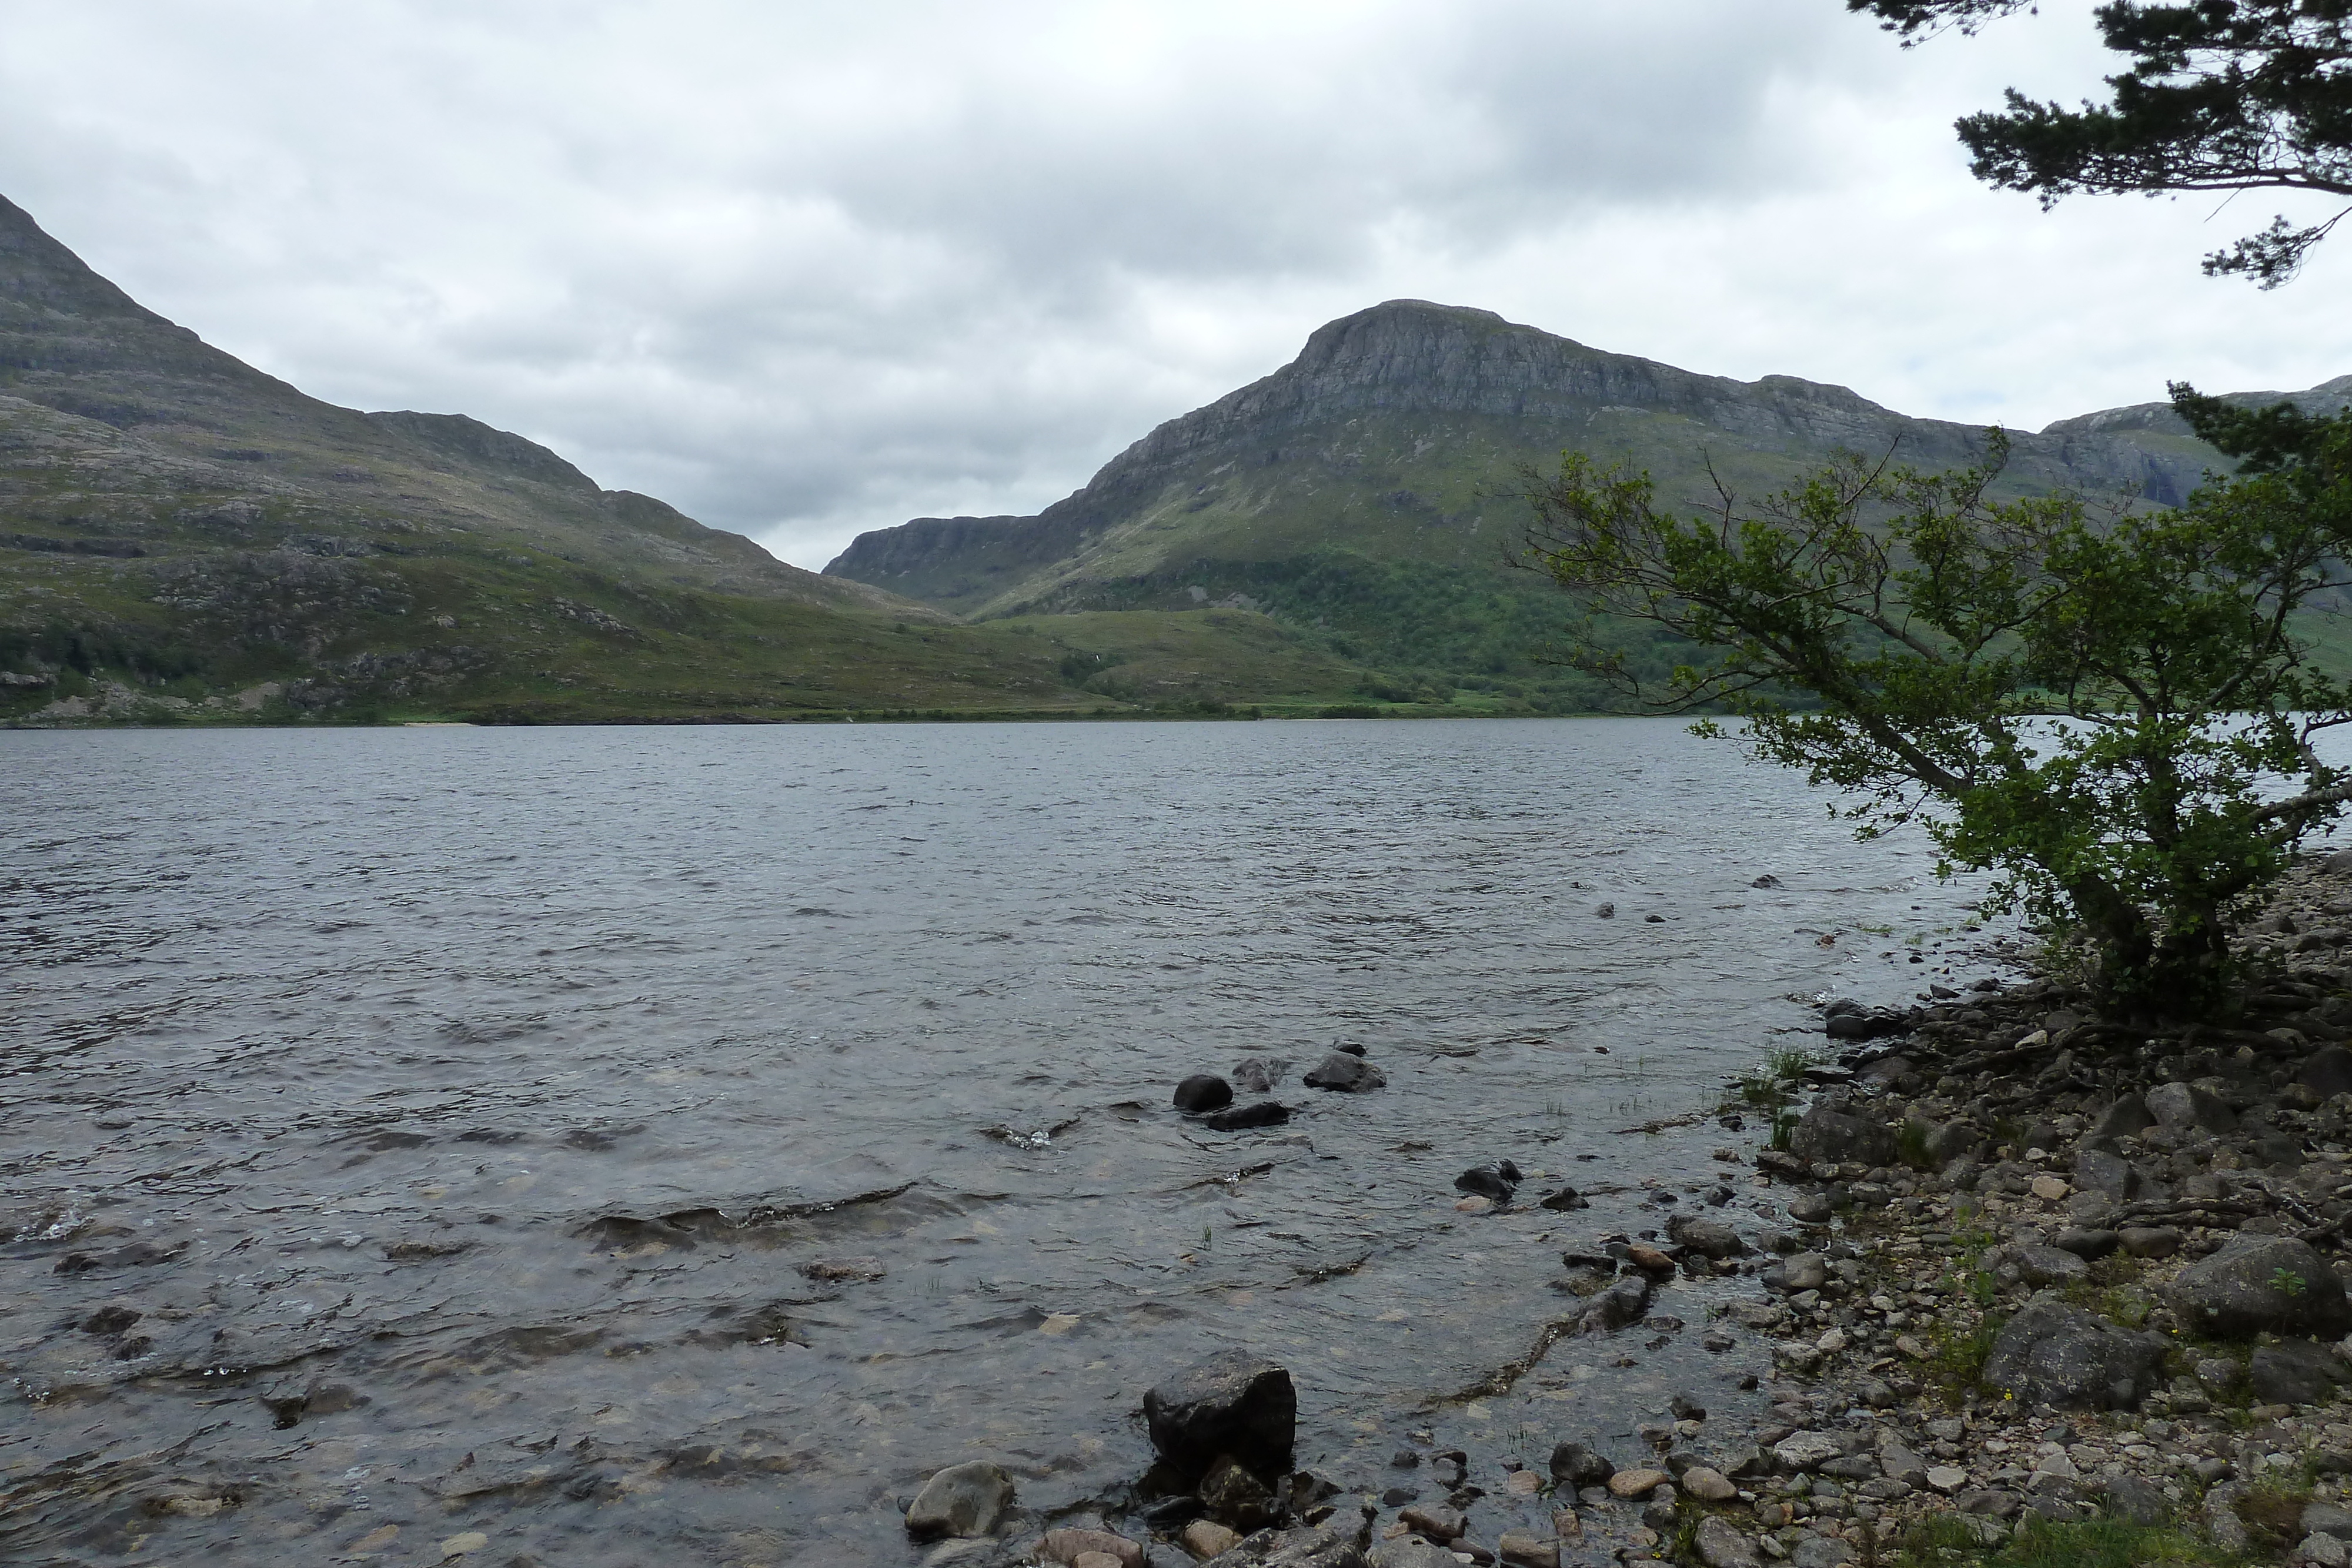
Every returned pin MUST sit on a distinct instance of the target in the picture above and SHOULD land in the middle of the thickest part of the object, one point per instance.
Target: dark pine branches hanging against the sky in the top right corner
(2221, 95)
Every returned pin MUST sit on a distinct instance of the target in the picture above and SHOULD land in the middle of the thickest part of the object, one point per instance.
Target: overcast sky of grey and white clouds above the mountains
(813, 269)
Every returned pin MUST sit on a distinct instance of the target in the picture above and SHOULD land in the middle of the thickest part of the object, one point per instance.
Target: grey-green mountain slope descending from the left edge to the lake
(185, 537)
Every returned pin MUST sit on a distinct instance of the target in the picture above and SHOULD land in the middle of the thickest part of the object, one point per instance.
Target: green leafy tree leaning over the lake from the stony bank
(2106, 706)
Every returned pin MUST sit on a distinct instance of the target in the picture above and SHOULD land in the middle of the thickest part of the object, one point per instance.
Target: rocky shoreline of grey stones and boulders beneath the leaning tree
(2019, 1268)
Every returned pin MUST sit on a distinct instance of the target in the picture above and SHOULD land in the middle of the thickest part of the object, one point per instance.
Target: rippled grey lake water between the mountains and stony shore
(469, 1118)
